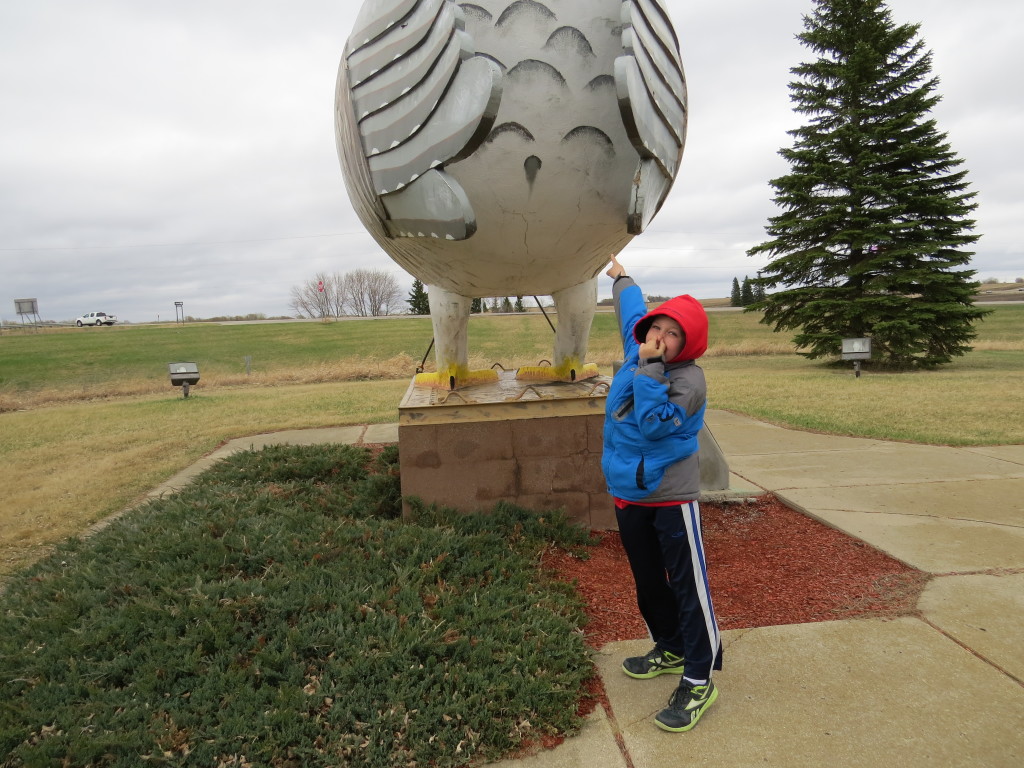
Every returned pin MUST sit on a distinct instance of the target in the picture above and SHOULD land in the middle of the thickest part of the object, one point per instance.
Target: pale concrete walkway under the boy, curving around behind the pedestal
(943, 689)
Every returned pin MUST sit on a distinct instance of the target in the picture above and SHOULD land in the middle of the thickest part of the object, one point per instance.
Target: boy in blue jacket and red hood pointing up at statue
(655, 410)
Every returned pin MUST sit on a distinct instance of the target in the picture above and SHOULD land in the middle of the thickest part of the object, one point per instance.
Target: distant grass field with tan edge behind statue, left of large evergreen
(64, 365)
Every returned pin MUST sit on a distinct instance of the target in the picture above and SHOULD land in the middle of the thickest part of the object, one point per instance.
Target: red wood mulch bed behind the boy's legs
(769, 566)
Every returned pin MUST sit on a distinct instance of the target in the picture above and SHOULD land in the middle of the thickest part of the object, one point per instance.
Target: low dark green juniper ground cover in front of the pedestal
(277, 613)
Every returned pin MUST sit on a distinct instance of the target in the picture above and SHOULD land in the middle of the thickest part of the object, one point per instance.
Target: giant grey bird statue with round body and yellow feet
(505, 148)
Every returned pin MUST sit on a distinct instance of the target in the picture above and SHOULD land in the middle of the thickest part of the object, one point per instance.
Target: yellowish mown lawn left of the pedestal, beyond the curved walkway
(66, 467)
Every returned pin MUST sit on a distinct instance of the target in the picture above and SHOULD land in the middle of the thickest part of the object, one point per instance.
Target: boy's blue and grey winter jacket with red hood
(655, 410)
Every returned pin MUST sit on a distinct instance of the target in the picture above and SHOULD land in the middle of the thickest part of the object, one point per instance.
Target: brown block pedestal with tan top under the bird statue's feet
(536, 445)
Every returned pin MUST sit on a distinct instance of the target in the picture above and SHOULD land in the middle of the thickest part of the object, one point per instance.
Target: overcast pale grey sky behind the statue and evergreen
(162, 152)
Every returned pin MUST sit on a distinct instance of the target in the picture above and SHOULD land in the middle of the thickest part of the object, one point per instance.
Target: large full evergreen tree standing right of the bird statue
(875, 208)
